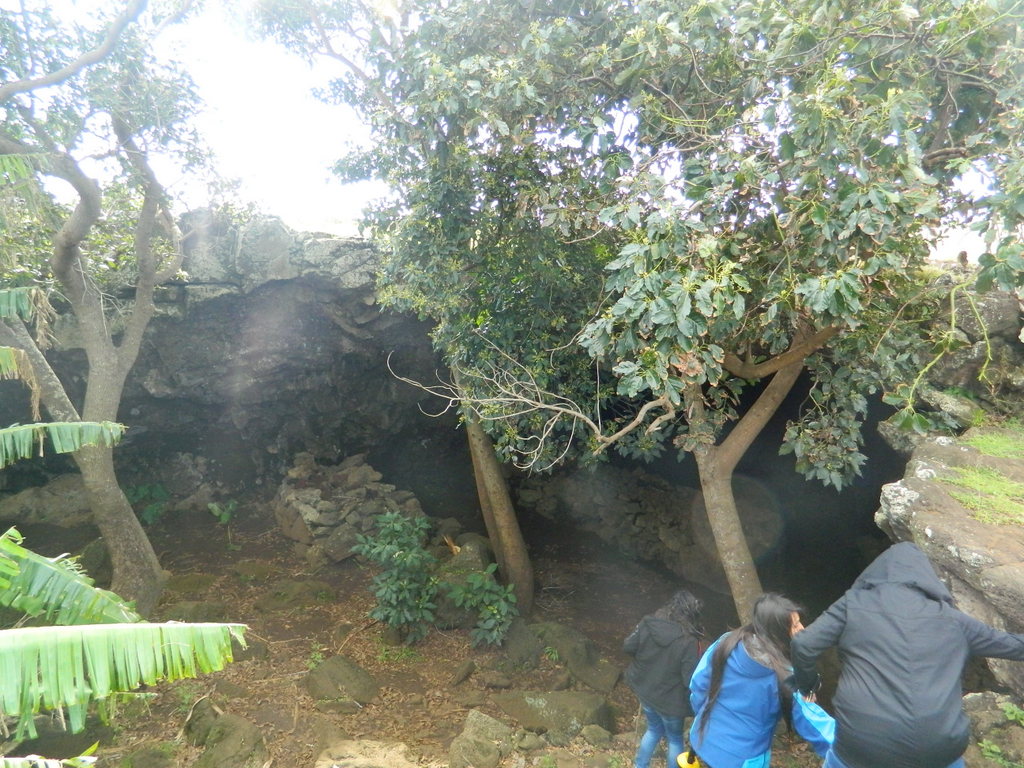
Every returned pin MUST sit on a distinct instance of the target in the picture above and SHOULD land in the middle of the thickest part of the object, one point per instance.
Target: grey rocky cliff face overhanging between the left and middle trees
(273, 346)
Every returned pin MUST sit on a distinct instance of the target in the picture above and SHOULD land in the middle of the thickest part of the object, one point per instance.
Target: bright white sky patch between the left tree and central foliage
(267, 129)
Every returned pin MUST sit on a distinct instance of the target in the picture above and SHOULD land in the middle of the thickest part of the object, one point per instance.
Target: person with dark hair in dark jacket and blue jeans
(665, 651)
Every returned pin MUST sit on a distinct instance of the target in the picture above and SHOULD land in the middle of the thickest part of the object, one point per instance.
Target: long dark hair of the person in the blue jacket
(770, 632)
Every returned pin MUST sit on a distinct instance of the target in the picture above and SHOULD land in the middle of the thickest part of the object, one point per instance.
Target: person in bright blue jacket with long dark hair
(743, 688)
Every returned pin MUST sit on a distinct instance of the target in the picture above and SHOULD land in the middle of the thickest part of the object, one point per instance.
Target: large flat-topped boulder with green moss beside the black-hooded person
(980, 561)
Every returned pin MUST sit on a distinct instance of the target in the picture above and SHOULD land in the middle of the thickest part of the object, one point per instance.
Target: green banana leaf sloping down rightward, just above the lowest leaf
(55, 589)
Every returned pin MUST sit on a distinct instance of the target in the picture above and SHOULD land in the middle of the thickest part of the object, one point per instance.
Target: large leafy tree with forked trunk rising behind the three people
(758, 186)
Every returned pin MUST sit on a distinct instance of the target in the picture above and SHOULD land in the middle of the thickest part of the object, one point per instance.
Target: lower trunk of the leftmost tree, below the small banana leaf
(138, 575)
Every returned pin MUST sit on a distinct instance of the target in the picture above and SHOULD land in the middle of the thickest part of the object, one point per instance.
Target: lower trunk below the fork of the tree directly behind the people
(720, 504)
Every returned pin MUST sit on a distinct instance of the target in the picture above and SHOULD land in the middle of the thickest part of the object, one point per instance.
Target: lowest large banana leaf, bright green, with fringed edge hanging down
(45, 668)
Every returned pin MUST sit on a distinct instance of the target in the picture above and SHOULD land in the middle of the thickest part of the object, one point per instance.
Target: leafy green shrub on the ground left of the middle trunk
(406, 588)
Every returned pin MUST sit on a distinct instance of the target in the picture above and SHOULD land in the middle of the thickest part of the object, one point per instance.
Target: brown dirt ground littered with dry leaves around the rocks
(236, 568)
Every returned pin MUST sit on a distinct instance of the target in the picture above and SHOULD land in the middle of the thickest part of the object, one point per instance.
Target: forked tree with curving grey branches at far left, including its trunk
(84, 107)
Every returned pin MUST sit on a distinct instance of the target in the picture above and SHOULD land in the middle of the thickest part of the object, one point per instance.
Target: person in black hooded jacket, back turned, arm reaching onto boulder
(903, 647)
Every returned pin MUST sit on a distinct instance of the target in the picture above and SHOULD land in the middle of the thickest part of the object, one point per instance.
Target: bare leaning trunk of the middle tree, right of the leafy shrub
(495, 496)
